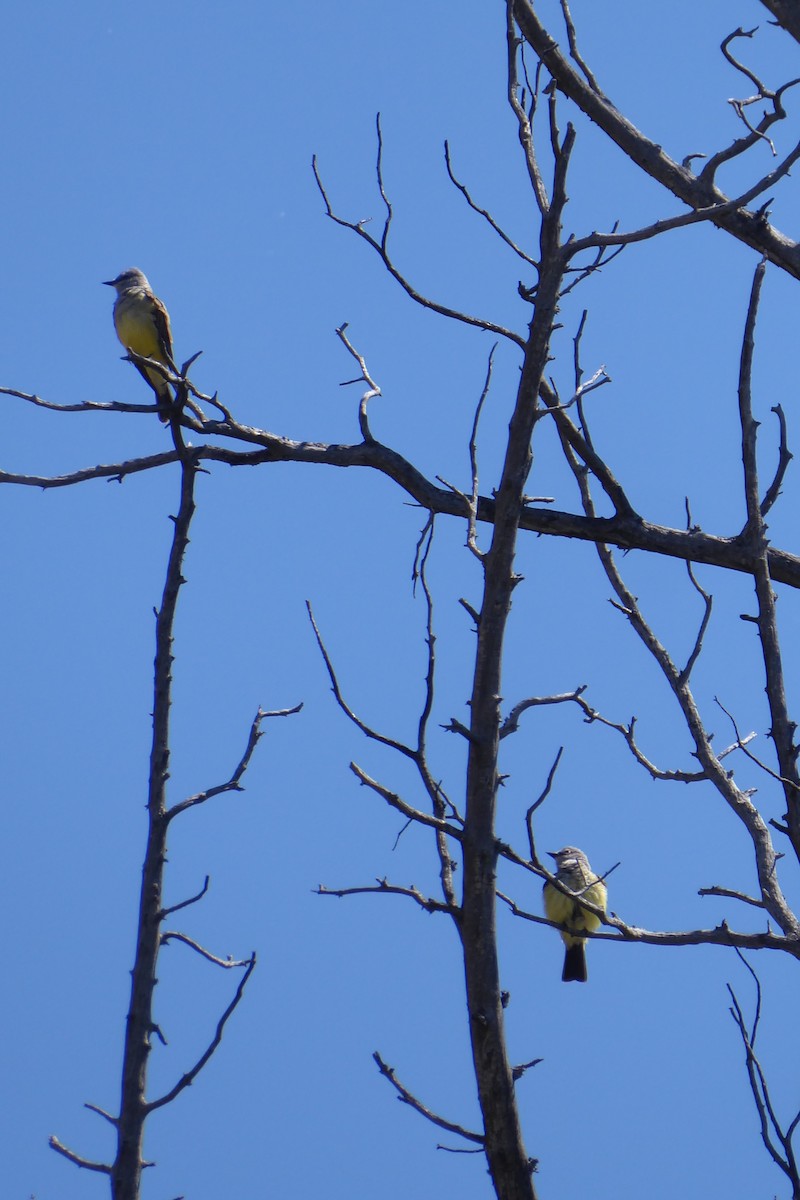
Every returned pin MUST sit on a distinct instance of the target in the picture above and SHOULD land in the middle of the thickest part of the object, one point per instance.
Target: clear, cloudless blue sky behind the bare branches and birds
(179, 139)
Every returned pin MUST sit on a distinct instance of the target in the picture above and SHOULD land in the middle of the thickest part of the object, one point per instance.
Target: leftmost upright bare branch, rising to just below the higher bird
(127, 1172)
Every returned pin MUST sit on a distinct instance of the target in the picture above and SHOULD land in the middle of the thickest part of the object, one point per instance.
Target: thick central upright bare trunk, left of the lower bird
(509, 1165)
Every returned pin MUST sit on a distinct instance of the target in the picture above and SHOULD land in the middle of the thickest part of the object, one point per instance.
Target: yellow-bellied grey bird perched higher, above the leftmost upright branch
(142, 326)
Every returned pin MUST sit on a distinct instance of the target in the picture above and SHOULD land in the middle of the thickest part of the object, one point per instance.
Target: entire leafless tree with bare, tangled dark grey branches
(550, 83)
